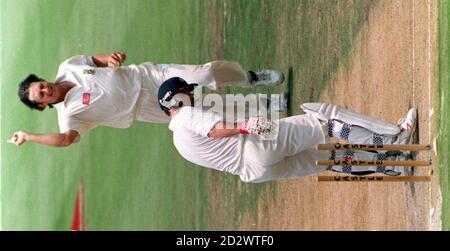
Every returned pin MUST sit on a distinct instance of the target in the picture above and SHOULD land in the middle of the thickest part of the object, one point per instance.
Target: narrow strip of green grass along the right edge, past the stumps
(444, 126)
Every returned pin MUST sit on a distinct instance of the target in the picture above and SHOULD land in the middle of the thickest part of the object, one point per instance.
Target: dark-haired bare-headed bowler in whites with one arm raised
(91, 91)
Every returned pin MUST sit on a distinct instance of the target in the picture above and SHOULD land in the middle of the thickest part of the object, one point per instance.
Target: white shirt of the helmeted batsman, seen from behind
(191, 126)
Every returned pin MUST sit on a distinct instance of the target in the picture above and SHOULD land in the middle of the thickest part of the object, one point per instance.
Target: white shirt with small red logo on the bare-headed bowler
(102, 95)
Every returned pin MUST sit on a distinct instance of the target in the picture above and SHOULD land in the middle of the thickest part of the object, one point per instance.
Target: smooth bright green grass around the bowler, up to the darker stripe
(131, 181)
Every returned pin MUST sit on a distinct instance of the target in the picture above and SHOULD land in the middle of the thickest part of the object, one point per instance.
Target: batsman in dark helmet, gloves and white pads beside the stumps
(259, 150)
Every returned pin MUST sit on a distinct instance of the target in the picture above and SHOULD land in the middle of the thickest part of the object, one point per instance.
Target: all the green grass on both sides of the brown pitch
(134, 179)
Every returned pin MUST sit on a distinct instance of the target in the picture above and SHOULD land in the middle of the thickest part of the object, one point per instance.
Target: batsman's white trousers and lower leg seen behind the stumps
(293, 152)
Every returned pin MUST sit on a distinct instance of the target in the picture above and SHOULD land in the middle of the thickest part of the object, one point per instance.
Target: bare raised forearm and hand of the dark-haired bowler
(53, 139)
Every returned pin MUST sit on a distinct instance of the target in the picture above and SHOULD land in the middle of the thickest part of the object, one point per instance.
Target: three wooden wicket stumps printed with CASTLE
(374, 147)
